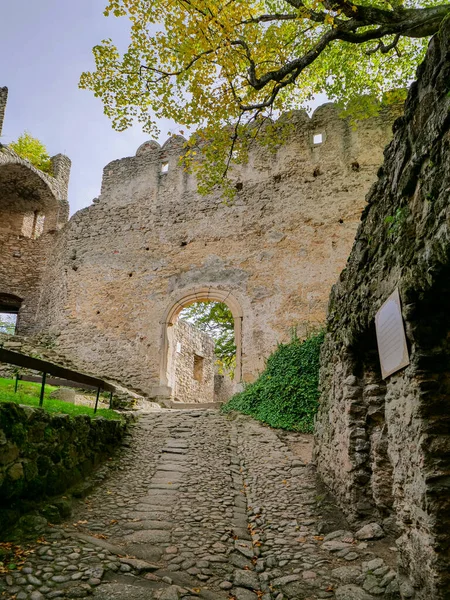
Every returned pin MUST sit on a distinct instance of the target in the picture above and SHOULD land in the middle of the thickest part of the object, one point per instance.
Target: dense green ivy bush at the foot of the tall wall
(286, 394)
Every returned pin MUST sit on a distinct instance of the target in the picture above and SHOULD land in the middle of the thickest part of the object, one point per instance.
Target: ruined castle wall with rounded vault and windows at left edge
(33, 206)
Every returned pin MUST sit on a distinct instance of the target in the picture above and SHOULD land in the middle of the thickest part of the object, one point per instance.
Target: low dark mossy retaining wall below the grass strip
(42, 454)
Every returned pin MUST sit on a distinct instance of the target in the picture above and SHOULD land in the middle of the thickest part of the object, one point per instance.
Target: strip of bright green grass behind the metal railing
(28, 393)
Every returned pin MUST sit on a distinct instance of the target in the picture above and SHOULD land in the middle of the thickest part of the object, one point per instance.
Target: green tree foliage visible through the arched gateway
(215, 318)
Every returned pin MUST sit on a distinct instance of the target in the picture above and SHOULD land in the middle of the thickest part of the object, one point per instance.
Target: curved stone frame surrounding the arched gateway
(198, 295)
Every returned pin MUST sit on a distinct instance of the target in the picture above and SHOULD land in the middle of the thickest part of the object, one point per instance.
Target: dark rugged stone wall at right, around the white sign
(383, 447)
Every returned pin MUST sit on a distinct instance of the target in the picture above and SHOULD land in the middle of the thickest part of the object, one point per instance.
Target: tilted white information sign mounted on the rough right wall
(391, 337)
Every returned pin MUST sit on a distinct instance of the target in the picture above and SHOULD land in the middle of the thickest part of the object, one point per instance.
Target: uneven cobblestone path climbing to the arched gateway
(200, 506)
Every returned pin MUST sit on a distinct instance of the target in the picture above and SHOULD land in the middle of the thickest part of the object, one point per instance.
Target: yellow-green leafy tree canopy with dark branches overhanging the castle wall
(209, 64)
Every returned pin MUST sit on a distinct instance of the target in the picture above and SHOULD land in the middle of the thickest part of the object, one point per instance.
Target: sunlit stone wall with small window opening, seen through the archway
(191, 363)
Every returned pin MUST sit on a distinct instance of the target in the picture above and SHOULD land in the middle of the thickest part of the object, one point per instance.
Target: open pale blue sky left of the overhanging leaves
(46, 45)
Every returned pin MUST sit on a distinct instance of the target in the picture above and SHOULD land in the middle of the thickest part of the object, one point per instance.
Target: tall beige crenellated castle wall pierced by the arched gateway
(120, 266)
